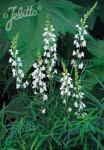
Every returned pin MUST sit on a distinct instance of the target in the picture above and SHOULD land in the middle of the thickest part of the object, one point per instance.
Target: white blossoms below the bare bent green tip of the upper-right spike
(79, 43)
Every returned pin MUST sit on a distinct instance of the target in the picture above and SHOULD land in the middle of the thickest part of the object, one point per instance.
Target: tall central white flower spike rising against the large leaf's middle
(50, 54)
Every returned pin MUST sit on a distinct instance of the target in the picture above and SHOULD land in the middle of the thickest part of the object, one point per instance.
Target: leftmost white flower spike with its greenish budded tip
(16, 64)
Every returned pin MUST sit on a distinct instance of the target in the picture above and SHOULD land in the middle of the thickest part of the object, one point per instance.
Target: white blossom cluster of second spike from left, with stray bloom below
(38, 84)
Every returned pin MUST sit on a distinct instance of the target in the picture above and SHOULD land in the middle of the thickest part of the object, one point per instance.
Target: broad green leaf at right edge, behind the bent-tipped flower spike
(95, 73)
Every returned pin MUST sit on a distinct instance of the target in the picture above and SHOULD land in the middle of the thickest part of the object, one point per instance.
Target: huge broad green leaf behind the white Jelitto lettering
(64, 17)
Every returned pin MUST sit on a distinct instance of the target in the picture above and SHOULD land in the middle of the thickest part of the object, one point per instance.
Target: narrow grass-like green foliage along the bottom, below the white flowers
(55, 129)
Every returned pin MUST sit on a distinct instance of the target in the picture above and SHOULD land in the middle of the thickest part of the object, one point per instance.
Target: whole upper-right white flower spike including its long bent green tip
(80, 42)
